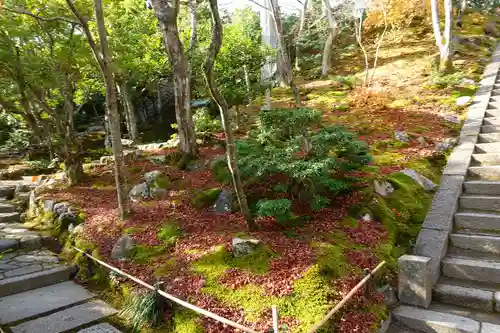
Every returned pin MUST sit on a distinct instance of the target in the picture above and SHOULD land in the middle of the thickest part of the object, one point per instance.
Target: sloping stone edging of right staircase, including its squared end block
(419, 273)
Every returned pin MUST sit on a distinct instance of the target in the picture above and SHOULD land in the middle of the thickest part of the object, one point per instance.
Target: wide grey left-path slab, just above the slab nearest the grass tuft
(27, 304)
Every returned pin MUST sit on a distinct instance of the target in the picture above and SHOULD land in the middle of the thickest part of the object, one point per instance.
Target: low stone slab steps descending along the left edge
(36, 294)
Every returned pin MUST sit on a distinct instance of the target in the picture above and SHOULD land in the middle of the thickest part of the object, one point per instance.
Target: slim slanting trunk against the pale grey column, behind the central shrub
(282, 52)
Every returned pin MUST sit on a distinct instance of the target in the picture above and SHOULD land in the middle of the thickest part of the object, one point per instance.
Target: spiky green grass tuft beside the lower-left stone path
(141, 309)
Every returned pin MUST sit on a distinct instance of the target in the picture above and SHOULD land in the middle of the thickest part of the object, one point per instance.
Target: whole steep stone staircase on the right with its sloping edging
(457, 264)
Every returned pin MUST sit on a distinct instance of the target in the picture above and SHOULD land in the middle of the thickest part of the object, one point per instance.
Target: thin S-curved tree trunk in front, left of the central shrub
(224, 112)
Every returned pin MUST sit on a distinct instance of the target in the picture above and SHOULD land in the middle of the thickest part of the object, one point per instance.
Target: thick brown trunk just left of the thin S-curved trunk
(167, 18)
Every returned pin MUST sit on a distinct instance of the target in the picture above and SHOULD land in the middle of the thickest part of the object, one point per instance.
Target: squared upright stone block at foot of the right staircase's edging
(415, 285)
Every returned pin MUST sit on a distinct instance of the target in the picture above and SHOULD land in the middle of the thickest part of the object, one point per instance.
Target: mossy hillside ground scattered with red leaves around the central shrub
(303, 269)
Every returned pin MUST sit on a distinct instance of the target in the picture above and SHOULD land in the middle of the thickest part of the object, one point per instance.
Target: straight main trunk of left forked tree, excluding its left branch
(113, 115)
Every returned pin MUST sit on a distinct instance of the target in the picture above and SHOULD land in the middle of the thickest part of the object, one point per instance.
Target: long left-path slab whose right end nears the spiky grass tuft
(68, 319)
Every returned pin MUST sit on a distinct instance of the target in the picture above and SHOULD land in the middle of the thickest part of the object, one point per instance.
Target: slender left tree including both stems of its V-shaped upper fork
(104, 60)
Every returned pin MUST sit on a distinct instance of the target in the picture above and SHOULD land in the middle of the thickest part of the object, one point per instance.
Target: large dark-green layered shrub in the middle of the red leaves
(276, 148)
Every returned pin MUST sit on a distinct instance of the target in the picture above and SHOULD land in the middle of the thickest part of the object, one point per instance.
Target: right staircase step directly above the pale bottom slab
(455, 292)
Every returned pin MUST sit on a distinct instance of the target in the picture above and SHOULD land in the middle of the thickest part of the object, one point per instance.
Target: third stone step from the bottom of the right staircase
(472, 269)
